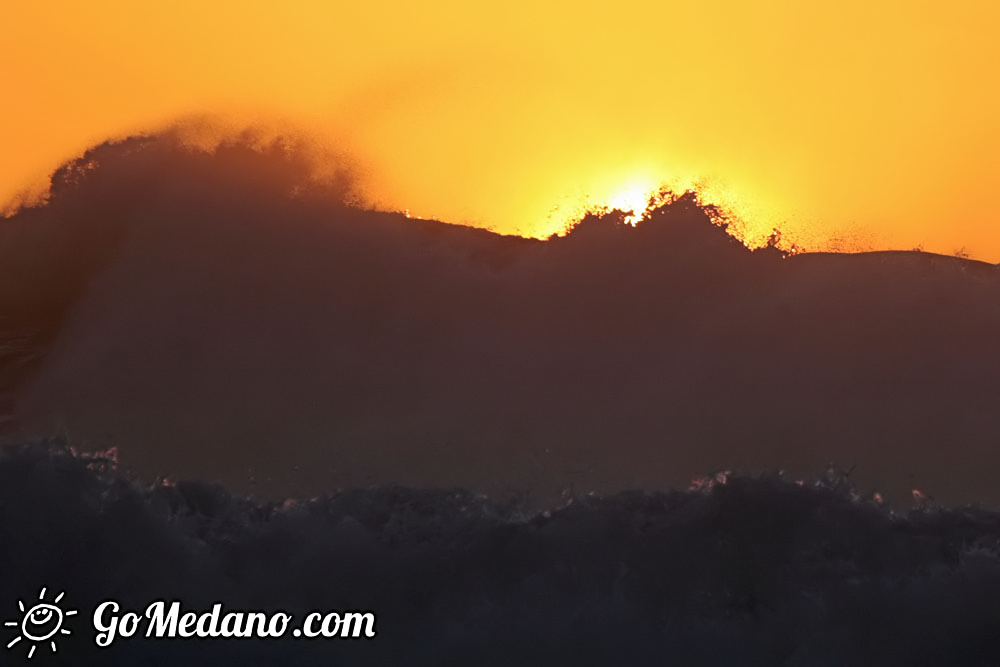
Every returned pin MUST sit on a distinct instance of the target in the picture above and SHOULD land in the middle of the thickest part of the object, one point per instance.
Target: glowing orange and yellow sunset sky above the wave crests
(861, 123)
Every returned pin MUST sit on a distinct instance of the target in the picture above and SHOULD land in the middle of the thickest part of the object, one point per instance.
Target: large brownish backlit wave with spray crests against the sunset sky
(225, 315)
